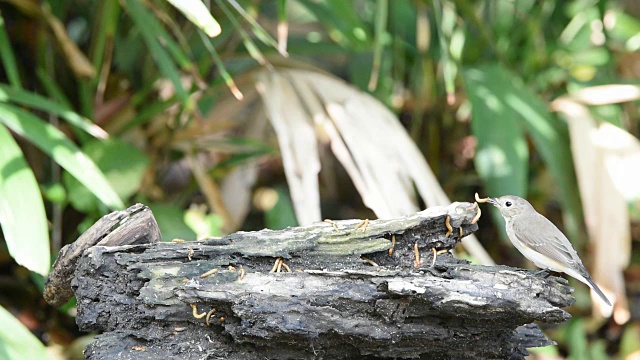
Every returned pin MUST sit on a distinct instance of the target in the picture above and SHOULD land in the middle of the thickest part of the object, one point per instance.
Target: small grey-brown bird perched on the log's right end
(540, 241)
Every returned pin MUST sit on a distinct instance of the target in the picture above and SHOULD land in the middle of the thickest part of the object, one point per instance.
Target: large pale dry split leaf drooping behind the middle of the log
(365, 136)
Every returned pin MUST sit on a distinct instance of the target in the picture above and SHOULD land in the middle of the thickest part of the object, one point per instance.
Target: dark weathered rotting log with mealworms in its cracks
(347, 295)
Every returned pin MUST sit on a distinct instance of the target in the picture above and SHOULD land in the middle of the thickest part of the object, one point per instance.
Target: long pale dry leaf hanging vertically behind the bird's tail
(605, 209)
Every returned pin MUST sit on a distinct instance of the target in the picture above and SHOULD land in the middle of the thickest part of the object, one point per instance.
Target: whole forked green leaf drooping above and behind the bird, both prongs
(506, 106)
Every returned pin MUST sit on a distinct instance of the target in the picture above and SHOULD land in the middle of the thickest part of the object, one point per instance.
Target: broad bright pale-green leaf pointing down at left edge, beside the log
(22, 215)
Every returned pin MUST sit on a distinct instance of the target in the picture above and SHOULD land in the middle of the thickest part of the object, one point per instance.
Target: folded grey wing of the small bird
(544, 237)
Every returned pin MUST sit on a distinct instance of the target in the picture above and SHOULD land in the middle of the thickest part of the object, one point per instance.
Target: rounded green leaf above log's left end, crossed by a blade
(122, 164)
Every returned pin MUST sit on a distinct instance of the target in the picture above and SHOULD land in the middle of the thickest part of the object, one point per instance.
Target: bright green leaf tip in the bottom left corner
(16, 341)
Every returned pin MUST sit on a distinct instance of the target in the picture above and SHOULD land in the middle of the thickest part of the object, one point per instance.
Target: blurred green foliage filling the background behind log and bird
(143, 73)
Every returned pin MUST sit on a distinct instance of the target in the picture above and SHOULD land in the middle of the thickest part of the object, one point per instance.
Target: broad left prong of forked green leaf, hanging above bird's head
(502, 156)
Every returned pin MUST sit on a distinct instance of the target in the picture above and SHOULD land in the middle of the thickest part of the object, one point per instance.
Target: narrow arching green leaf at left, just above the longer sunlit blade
(38, 102)
